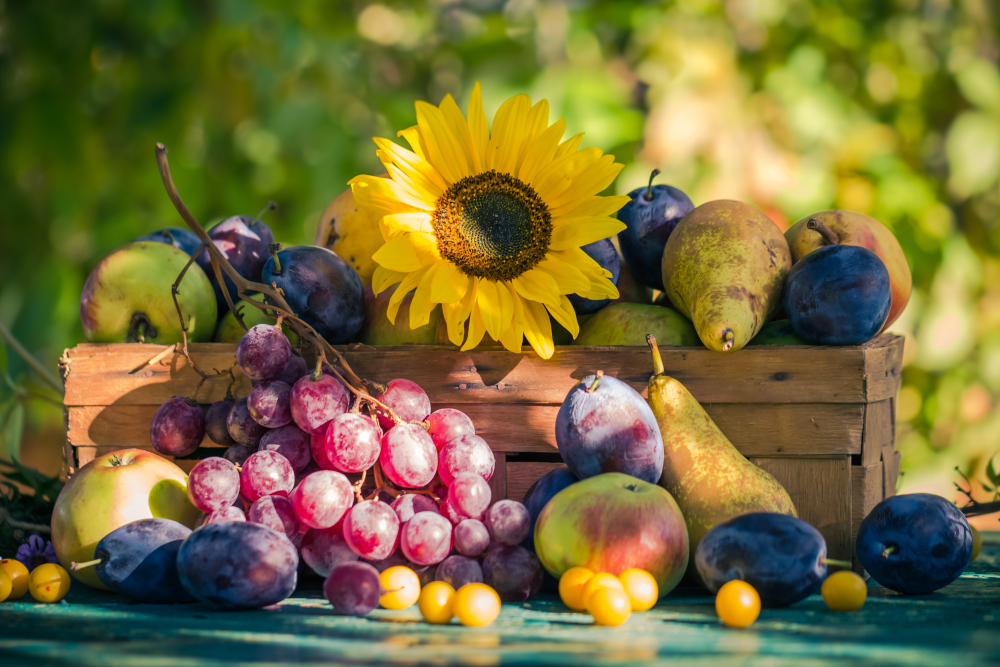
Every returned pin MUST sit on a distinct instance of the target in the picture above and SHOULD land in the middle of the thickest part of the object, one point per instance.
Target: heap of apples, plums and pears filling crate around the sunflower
(720, 273)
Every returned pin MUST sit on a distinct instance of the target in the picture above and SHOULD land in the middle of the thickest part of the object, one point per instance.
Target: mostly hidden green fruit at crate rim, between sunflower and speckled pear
(628, 324)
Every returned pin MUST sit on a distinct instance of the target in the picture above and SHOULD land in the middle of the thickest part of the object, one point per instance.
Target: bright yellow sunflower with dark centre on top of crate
(490, 224)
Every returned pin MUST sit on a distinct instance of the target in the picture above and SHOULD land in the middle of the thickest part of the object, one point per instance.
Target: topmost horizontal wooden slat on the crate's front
(101, 375)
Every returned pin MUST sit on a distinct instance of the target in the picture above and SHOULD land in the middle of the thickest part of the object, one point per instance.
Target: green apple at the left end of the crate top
(127, 297)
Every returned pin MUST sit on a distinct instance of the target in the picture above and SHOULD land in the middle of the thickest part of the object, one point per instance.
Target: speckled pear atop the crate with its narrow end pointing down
(723, 267)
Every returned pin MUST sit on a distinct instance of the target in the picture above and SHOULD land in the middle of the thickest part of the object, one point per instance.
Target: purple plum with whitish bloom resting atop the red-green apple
(604, 425)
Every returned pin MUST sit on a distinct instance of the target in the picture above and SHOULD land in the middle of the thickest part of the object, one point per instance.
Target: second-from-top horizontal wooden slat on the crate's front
(769, 429)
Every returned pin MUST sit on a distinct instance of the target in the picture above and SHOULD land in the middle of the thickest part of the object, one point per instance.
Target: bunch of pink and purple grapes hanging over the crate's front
(298, 435)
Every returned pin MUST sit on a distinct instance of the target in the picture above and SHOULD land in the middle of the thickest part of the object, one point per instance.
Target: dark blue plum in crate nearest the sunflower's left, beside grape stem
(322, 289)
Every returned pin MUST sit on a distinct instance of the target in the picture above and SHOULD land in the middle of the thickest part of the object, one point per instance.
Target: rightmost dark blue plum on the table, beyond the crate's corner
(915, 543)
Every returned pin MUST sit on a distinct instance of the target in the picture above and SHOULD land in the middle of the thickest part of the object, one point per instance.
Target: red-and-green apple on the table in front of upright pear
(610, 523)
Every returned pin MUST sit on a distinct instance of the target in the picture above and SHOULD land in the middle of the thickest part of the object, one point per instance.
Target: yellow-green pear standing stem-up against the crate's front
(710, 480)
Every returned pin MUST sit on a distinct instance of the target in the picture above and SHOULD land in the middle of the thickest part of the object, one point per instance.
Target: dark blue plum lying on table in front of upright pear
(782, 557)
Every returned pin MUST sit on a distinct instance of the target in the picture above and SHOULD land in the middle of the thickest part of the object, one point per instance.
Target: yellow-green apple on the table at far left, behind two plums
(107, 493)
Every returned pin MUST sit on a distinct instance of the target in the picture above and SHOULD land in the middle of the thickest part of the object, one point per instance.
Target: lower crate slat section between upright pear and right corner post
(821, 491)
